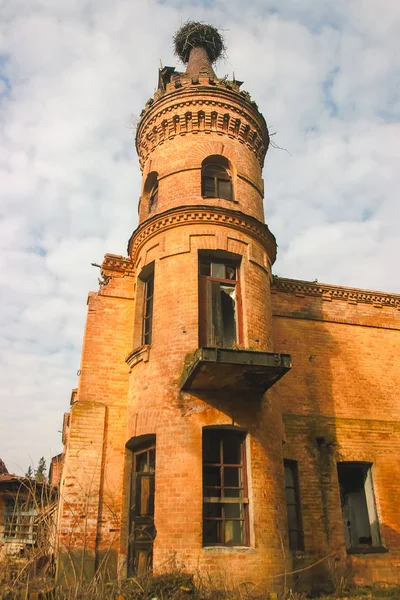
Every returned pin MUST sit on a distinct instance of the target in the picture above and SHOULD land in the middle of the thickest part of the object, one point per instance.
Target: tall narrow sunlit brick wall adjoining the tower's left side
(92, 481)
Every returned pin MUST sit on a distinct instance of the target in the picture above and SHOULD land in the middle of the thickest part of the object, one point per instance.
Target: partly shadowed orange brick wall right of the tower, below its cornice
(343, 388)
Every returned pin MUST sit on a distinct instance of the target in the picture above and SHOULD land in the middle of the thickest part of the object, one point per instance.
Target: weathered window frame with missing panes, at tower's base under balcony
(224, 495)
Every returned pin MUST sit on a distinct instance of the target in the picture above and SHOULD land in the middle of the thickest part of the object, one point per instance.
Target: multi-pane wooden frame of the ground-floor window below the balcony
(223, 500)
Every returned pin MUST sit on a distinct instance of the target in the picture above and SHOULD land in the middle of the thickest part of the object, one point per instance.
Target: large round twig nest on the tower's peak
(194, 34)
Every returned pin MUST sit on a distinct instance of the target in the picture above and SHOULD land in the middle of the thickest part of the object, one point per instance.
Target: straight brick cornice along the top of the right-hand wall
(331, 292)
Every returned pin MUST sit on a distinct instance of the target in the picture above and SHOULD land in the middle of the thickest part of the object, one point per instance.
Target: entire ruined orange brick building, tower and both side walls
(227, 420)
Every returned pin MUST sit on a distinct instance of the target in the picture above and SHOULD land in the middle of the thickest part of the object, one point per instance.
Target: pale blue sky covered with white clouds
(74, 76)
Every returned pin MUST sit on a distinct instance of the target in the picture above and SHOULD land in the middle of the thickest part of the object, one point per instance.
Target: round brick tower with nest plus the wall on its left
(173, 448)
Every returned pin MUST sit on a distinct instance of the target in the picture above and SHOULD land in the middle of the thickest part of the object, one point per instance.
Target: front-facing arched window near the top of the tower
(216, 178)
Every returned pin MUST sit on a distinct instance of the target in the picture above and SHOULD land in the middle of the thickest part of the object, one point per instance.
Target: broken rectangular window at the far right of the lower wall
(356, 543)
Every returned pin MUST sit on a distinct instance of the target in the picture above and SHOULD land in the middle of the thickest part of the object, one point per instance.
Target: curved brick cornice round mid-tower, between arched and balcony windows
(190, 215)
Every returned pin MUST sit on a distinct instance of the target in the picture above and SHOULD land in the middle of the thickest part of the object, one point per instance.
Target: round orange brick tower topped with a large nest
(203, 345)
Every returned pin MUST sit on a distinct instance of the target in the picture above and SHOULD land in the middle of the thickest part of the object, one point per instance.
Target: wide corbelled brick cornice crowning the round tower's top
(198, 113)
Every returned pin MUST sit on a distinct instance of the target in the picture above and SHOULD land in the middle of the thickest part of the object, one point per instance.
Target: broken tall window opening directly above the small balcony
(212, 331)
